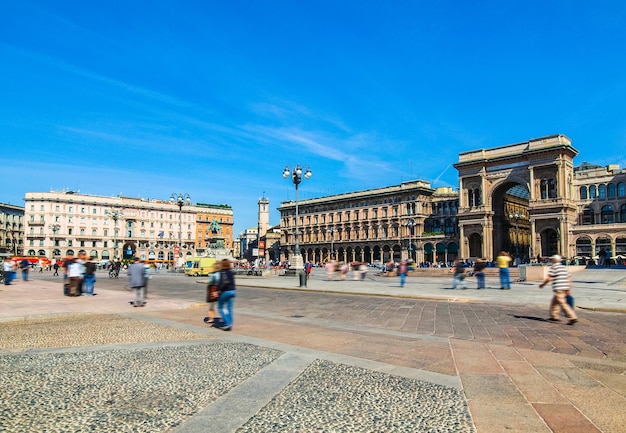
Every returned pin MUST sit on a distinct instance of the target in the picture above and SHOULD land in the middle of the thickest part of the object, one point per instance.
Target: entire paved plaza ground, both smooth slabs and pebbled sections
(336, 356)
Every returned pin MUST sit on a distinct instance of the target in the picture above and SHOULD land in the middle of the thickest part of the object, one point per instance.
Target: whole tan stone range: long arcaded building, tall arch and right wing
(526, 198)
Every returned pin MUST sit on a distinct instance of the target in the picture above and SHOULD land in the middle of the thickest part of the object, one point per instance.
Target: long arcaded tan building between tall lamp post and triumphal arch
(406, 221)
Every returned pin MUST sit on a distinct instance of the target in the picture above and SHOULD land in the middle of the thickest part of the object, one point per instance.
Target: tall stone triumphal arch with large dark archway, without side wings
(517, 198)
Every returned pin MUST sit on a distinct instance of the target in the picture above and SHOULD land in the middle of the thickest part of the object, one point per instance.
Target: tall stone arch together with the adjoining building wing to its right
(529, 199)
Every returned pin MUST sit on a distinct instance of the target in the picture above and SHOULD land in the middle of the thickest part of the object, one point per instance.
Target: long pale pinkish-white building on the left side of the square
(107, 228)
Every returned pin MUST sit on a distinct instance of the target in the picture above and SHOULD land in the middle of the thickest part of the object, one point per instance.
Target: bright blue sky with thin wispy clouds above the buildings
(214, 98)
